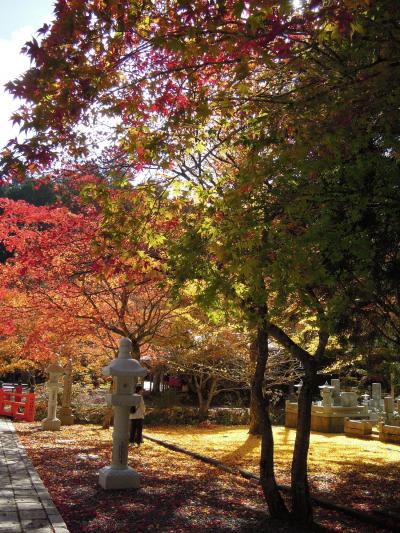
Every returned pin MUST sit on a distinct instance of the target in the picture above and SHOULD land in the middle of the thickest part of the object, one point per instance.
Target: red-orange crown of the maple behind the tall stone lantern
(78, 286)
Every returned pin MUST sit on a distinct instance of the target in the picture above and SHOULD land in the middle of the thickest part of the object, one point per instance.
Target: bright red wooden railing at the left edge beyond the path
(17, 403)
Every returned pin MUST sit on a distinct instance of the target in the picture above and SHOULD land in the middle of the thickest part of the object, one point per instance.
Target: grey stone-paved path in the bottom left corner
(25, 504)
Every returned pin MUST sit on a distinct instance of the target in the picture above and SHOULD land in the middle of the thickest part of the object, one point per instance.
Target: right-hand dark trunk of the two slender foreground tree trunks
(301, 501)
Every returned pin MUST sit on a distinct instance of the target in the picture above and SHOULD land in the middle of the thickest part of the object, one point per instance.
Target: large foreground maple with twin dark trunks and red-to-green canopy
(184, 80)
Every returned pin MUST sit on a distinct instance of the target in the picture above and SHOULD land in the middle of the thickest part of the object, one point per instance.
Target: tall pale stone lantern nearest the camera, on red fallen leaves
(125, 372)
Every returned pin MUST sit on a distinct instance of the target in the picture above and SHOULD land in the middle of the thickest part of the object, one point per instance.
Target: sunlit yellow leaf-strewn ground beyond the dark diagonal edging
(364, 472)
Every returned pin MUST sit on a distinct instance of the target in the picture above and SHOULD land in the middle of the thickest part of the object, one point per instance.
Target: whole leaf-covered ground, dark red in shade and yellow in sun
(182, 494)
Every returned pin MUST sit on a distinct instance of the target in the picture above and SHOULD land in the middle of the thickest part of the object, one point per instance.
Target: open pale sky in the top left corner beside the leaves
(19, 21)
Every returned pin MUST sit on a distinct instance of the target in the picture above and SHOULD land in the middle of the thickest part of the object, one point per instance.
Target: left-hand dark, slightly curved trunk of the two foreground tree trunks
(276, 505)
